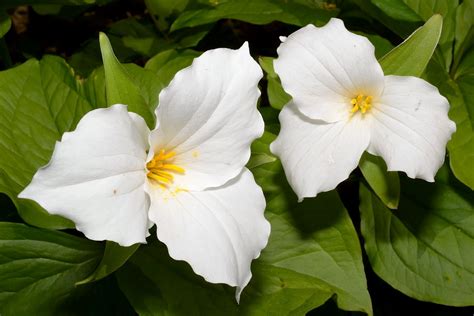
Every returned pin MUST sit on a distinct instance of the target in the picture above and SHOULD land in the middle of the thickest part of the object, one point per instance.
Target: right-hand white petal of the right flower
(410, 127)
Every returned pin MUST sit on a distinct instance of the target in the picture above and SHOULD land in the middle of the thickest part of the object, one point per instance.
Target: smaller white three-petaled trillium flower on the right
(343, 105)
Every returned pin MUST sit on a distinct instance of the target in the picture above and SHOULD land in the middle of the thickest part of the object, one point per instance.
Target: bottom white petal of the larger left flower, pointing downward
(217, 231)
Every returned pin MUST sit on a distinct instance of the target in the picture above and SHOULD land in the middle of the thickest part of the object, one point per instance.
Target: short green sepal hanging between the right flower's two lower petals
(385, 184)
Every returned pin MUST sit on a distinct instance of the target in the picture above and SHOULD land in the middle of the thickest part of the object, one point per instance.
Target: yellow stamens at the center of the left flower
(161, 168)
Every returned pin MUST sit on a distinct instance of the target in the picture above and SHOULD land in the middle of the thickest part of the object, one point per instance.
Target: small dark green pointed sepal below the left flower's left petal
(114, 257)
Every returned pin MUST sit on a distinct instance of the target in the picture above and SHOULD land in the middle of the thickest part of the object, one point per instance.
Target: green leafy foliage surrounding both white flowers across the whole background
(418, 236)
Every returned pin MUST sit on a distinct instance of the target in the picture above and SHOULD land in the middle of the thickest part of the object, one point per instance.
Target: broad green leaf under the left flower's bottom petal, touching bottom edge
(157, 285)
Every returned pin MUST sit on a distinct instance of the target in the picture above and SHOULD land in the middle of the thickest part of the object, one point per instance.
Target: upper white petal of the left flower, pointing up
(208, 117)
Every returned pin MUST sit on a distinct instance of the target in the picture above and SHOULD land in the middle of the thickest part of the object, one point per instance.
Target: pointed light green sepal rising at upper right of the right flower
(411, 57)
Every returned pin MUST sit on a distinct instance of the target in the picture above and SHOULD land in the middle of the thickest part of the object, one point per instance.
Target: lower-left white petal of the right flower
(316, 155)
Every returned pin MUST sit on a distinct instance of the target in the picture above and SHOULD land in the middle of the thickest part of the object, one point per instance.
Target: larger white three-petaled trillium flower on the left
(114, 177)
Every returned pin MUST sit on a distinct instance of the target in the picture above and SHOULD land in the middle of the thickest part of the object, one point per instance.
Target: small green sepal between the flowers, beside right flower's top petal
(276, 95)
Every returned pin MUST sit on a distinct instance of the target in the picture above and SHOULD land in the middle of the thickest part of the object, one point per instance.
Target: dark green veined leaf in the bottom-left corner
(38, 268)
